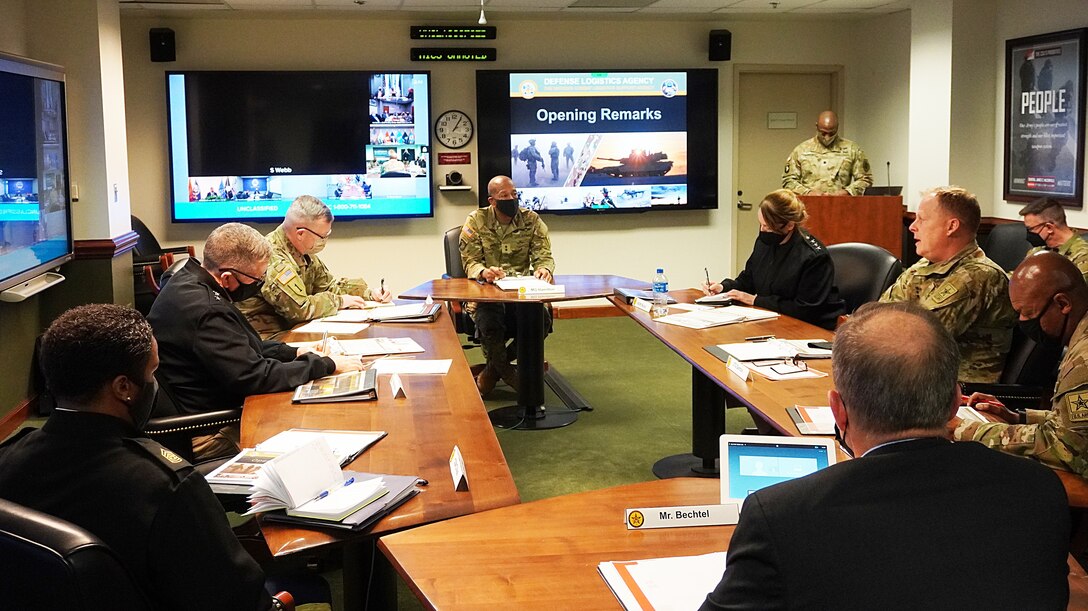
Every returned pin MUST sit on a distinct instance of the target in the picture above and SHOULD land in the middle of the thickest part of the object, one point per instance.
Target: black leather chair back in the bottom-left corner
(50, 564)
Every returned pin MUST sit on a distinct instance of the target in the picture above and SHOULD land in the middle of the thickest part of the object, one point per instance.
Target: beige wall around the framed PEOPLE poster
(1017, 19)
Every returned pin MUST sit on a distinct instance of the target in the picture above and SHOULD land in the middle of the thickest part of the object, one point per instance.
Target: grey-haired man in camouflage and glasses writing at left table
(298, 286)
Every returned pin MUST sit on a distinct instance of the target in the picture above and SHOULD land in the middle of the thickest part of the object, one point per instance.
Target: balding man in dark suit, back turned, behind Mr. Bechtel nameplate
(917, 522)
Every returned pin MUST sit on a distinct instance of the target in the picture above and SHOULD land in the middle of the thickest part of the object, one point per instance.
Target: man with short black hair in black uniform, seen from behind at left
(90, 465)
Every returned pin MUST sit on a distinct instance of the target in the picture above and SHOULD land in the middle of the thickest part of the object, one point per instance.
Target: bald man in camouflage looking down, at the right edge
(1052, 297)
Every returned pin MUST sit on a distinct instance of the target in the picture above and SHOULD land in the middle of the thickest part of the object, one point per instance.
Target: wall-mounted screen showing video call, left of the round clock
(243, 145)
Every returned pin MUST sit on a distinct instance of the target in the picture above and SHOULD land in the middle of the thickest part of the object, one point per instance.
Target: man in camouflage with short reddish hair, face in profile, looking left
(956, 281)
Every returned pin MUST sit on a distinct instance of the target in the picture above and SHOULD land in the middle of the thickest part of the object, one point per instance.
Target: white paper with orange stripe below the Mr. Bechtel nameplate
(669, 584)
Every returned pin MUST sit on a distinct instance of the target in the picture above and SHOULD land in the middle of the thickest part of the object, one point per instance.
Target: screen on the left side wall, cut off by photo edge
(35, 221)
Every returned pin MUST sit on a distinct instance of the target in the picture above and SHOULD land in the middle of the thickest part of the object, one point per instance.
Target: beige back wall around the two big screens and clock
(409, 253)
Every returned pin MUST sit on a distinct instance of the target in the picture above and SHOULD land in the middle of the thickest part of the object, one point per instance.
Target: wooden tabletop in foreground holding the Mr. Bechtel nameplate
(545, 555)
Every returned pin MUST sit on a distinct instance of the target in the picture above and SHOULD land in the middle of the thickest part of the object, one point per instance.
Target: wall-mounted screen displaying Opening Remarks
(582, 142)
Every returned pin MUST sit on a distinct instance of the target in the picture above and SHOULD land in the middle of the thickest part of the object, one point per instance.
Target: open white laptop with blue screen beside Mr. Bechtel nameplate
(751, 463)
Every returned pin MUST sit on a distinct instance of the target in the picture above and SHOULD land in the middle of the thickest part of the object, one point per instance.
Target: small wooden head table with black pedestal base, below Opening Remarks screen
(530, 413)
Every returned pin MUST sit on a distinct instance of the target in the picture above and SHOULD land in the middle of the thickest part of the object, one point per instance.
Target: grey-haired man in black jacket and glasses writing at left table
(213, 359)
